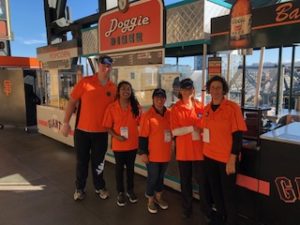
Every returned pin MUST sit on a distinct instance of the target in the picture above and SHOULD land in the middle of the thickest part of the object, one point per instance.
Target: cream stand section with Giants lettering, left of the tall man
(59, 77)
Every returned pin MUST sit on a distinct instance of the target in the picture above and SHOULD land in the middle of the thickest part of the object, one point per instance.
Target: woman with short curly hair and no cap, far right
(223, 124)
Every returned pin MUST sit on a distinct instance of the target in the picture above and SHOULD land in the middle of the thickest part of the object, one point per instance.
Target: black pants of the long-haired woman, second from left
(125, 158)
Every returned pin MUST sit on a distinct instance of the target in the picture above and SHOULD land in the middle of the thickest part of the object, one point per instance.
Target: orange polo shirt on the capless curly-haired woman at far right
(226, 120)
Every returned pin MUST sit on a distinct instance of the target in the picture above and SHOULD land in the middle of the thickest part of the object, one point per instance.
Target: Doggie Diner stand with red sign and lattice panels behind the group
(139, 39)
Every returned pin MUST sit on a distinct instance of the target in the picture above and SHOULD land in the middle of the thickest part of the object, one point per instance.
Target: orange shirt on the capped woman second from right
(186, 148)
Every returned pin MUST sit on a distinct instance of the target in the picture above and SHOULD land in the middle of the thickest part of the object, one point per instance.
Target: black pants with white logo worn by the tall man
(90, 145)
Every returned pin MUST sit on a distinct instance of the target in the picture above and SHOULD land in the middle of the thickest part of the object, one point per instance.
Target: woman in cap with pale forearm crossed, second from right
(185, 119)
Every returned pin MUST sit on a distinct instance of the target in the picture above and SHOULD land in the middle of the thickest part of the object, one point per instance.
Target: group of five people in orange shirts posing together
(207, 142)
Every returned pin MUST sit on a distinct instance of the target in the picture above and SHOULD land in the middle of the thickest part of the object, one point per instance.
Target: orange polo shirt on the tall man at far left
(94, 100)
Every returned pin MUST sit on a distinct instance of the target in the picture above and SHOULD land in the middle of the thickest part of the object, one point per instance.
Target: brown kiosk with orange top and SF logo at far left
(21, 91)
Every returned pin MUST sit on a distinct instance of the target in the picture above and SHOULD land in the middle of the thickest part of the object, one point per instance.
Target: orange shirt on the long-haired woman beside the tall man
(115, 118)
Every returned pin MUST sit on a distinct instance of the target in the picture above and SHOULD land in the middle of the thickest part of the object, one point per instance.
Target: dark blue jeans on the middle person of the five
(155, 179)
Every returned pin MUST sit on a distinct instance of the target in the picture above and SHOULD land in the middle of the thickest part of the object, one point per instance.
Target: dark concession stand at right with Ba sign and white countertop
(269, 171)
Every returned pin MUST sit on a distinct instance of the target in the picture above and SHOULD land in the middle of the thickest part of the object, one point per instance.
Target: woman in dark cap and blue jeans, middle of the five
(155, 148)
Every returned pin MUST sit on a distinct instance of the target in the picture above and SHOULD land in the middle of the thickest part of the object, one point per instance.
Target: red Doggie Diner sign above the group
(146, 15)
